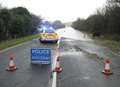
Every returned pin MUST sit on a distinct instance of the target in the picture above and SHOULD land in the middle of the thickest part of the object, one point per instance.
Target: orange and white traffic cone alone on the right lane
(107, 70)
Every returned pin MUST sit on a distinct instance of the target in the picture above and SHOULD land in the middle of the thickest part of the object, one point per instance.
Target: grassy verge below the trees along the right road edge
(110, 41)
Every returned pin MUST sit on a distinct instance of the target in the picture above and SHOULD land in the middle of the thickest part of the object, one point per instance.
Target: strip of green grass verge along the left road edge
(13, 42)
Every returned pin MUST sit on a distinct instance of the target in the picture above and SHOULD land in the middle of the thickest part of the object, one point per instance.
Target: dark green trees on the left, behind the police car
(17, 22)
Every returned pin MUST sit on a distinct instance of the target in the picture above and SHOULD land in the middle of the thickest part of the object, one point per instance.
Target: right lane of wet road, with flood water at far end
(83, 61)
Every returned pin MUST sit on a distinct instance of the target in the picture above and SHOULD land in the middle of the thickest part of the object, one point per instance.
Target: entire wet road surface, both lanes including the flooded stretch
(82, 61)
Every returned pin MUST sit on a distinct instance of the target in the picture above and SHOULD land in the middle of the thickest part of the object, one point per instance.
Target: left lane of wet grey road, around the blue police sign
(27, 75)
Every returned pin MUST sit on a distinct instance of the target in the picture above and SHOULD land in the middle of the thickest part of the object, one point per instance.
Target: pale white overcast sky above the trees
(64, 10)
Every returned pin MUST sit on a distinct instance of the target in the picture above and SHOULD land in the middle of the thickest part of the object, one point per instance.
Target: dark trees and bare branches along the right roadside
(106, 21)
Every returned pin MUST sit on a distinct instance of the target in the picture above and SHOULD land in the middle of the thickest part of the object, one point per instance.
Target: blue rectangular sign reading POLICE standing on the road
(41, 55)
